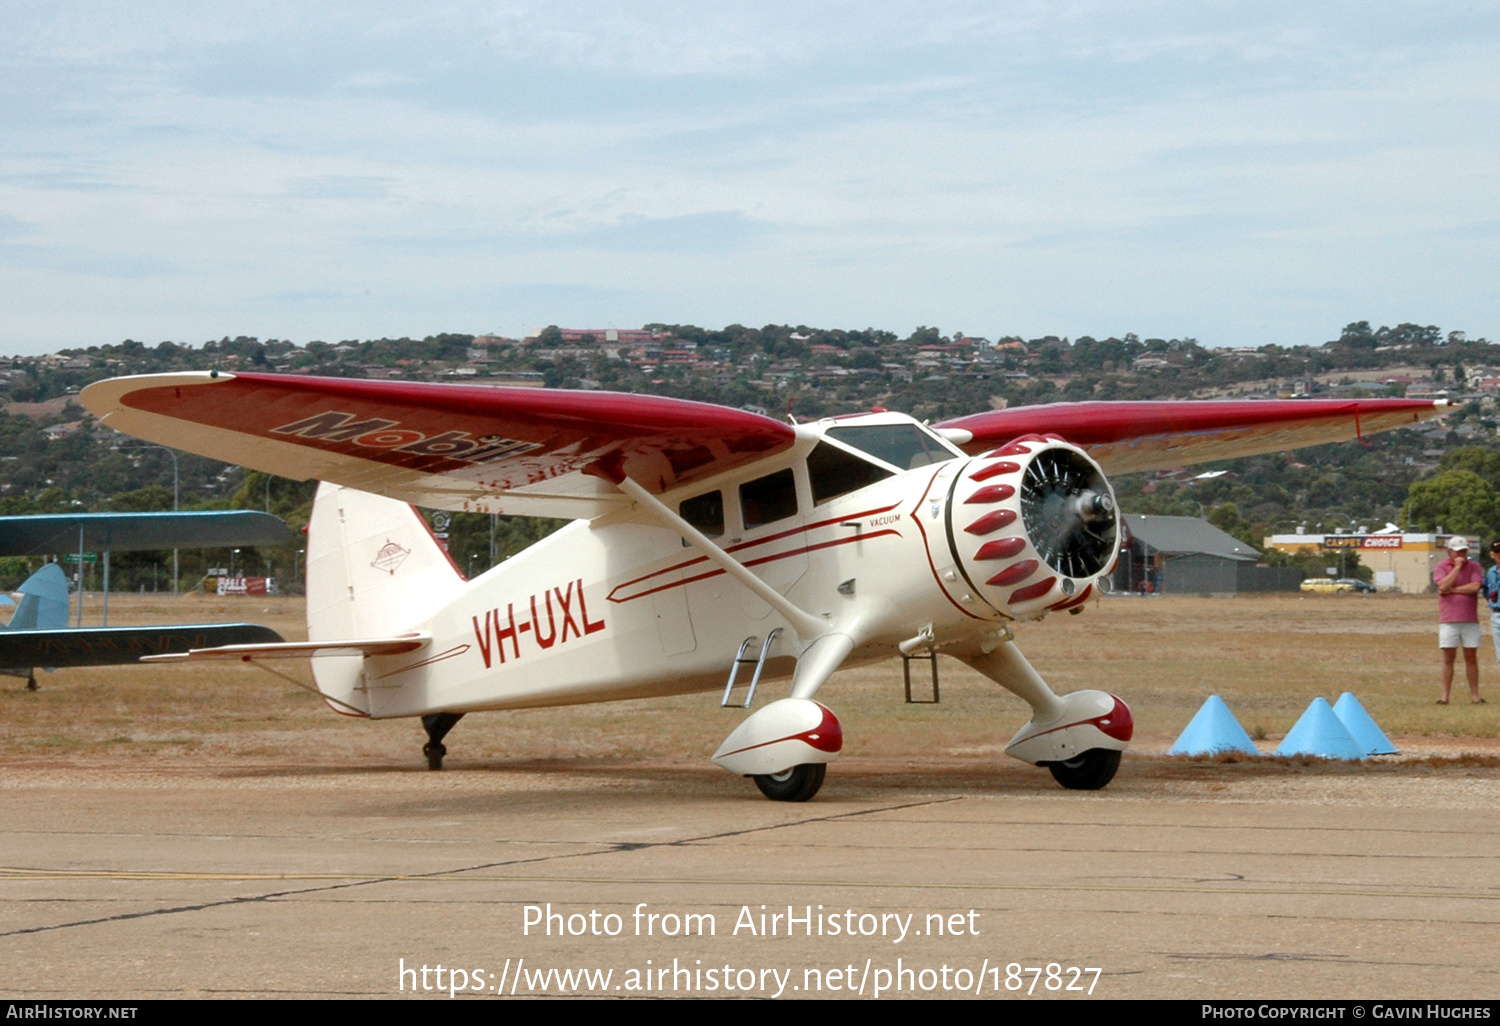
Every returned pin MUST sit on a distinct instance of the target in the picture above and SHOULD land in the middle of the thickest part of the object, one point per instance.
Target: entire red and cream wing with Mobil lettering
(539, 452)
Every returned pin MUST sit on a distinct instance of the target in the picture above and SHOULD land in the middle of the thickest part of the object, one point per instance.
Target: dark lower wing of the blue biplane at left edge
(121, 646)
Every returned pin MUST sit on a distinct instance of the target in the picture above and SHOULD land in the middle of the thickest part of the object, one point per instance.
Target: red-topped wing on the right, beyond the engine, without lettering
(1129, 437)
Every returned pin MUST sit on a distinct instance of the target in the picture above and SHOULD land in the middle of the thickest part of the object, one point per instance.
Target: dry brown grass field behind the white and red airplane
(1268, 656)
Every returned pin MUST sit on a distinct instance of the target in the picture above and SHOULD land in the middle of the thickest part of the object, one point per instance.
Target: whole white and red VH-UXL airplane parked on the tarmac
(703, 538)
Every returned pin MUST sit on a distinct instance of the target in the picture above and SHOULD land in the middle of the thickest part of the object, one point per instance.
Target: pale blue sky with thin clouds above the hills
(1235, 173)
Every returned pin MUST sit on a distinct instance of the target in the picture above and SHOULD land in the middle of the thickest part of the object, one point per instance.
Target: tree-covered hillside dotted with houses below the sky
(53, 458)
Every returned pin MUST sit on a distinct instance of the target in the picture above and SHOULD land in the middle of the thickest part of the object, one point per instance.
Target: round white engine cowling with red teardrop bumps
(1034, 527)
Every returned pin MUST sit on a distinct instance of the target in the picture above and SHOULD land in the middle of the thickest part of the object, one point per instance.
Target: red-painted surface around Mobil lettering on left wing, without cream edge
(503, 437)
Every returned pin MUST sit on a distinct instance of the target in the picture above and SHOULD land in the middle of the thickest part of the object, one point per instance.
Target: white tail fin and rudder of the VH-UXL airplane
(374, 571)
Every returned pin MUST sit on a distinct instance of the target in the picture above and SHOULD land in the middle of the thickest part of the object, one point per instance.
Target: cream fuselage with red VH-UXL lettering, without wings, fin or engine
(622, 608)
